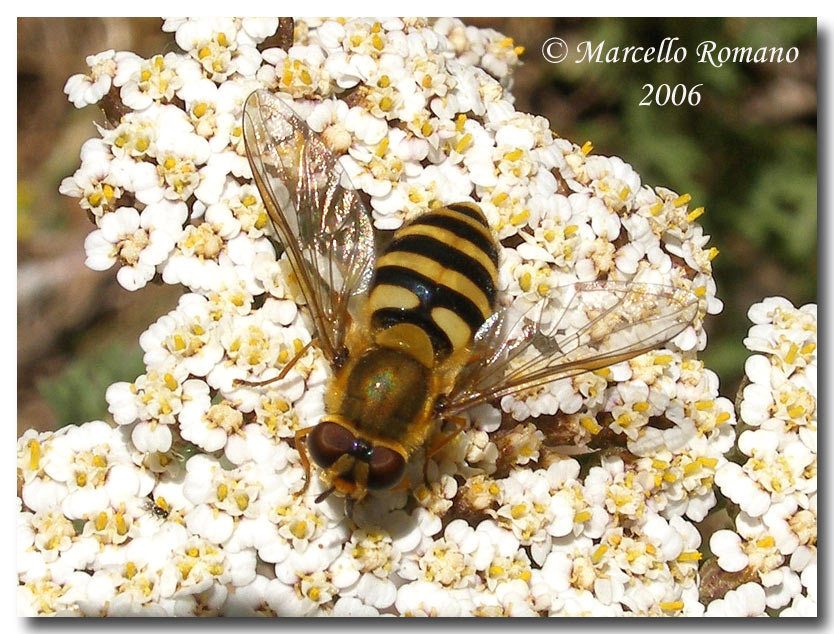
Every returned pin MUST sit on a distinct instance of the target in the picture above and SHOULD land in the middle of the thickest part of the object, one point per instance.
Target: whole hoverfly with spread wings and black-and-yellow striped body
(414, 335)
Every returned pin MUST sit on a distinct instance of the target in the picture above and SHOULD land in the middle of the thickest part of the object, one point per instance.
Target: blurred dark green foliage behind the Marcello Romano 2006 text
(755, 173)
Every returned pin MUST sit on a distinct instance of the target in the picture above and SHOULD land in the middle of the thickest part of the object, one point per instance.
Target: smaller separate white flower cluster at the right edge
(775, 483)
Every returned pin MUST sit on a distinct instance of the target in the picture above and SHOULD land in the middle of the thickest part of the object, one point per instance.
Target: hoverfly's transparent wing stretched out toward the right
(579, 328)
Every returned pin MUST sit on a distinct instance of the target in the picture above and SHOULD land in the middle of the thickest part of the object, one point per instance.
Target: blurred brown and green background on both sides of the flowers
(747, 153)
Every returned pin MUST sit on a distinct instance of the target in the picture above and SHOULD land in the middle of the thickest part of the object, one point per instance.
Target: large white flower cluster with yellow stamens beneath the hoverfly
(190, 503)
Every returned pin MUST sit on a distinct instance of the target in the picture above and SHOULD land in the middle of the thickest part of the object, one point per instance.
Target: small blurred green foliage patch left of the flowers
(75, 395)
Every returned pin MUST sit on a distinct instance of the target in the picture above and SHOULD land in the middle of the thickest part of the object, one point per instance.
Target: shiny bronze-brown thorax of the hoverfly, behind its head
(386, 391)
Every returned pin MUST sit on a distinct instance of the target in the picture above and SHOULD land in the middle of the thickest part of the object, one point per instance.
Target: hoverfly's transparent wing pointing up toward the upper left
(319, 217)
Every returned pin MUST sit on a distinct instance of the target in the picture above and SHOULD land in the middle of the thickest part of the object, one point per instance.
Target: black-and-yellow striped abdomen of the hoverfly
(439, 274)
